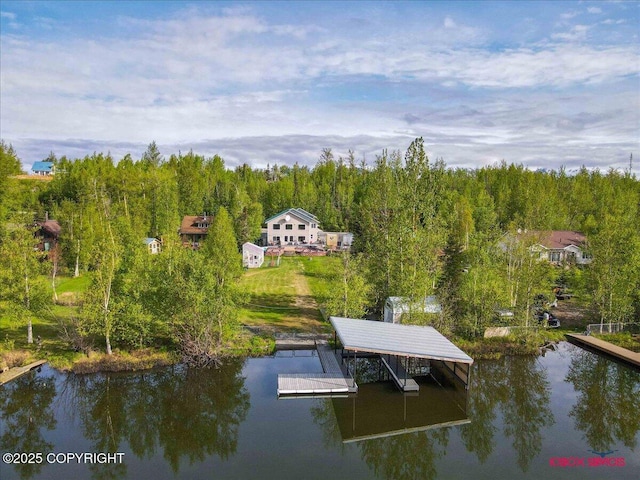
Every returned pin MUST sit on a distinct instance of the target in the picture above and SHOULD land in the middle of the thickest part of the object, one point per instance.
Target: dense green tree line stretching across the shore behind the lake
(420, 228)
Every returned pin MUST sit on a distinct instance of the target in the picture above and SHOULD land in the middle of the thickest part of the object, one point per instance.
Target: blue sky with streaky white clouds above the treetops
(545, 84)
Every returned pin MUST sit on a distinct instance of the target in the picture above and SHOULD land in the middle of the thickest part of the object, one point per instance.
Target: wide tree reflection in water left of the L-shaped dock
(188, 414)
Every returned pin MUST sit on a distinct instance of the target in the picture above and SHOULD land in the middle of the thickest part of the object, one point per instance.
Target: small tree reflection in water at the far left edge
(25, 410)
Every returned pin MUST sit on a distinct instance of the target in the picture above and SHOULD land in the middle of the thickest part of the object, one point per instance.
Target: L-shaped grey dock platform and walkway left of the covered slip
(334, 381)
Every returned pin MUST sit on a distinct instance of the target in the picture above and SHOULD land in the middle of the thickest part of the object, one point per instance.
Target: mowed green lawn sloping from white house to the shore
(286, 298)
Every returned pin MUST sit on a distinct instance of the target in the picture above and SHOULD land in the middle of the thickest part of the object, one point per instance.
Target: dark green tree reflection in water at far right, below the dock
(608, 400)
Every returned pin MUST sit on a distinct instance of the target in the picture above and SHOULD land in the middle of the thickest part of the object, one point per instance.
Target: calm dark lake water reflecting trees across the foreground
(521, 418)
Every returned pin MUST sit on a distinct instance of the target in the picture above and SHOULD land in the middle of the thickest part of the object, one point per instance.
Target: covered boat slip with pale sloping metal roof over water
(397, 344)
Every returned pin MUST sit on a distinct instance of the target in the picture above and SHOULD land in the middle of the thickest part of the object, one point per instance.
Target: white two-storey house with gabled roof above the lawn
(293, 226)
